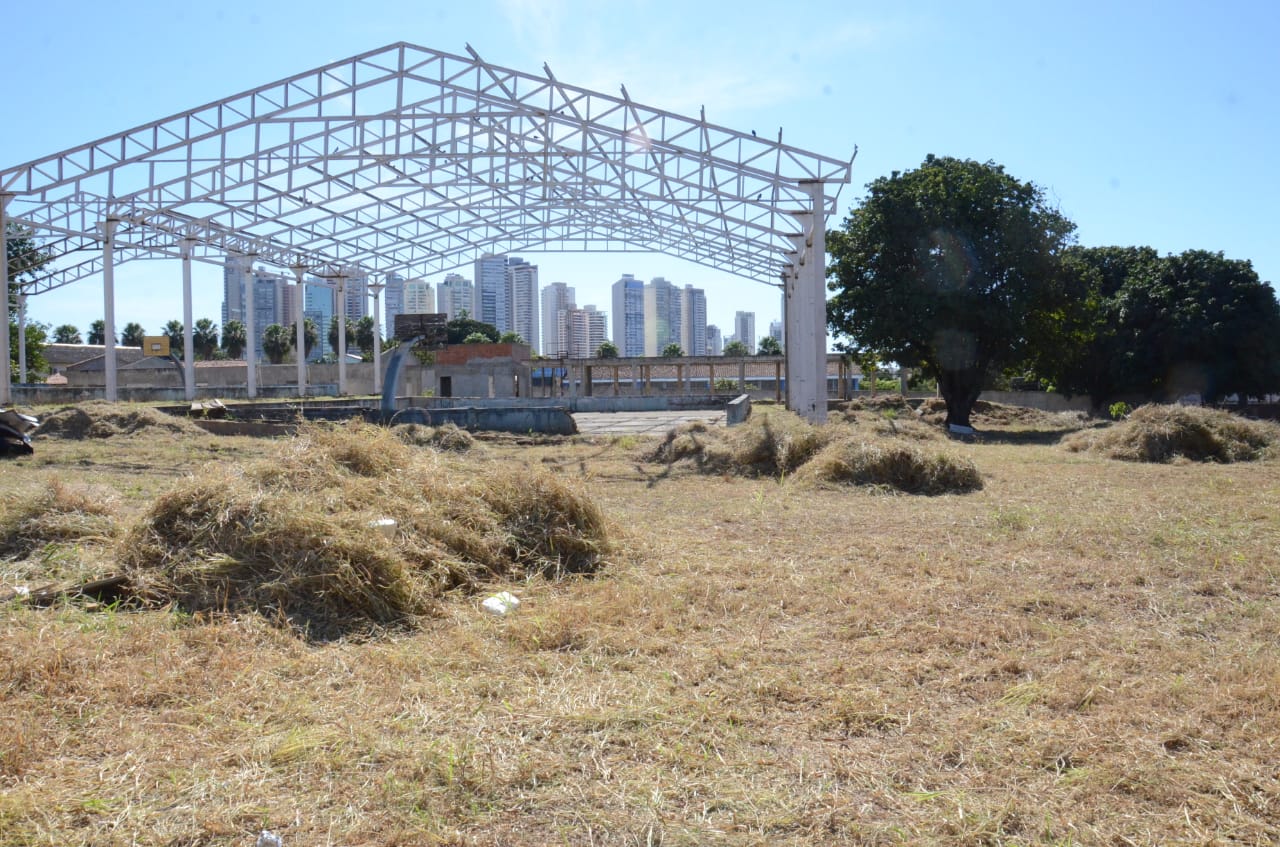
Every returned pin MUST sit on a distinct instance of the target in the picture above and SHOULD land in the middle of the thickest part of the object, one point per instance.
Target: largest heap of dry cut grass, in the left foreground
(294, 535)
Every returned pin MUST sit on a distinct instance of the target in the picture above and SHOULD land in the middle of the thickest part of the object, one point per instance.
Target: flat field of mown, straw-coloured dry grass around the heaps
(1082, 652)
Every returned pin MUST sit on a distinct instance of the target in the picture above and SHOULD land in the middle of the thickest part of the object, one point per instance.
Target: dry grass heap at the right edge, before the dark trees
(1167, 433)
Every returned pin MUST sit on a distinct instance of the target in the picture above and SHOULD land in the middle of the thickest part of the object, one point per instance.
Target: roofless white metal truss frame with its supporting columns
(417, 162)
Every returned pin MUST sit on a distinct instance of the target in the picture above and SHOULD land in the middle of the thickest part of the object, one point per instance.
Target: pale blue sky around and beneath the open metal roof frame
(1146, 123)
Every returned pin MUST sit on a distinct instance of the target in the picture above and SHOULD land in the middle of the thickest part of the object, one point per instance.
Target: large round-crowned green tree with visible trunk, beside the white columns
(950, 268)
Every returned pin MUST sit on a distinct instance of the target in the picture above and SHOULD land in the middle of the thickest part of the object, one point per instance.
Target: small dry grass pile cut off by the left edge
(61, 515)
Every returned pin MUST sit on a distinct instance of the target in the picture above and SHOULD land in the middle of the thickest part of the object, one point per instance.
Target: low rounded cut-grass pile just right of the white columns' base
(893, 465)
